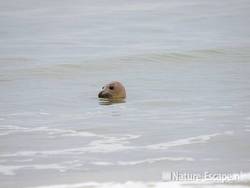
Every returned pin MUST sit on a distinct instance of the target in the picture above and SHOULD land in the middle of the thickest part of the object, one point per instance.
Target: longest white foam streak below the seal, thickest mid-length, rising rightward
(109, 144)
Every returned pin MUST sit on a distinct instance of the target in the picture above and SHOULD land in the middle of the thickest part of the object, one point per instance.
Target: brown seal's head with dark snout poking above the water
(113, 90)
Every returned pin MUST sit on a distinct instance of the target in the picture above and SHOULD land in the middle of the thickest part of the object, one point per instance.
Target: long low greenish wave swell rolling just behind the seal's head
(97, 64)
